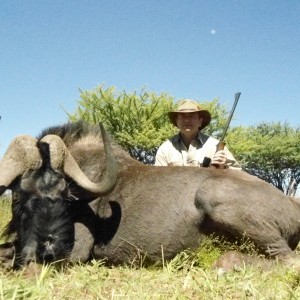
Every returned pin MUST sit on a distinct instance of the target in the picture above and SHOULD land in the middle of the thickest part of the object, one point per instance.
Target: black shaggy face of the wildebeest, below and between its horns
(42, 219)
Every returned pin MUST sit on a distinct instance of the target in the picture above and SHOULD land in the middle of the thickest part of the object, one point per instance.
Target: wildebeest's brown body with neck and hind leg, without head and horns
(159, 211)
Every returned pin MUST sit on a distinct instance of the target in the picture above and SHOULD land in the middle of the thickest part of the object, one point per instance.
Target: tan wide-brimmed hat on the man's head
(188, 106)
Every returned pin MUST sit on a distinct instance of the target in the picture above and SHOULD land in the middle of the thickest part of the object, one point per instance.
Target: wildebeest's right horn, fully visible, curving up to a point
(62, 159)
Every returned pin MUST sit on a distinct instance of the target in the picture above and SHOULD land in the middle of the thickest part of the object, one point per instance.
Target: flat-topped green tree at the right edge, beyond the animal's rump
(269, 151)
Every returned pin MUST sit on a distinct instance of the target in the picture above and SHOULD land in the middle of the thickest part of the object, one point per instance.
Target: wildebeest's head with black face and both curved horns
(38, 173)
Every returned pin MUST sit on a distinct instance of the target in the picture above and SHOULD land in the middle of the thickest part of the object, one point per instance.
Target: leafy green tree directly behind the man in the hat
(138, 121)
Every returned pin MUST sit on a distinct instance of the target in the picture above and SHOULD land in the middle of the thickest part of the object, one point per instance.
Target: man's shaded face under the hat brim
(188, 123)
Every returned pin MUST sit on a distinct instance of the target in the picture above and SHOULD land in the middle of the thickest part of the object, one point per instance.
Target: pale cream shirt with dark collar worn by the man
(173, 152)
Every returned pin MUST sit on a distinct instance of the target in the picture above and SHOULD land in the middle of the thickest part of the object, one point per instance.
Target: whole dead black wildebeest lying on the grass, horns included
(75, 196)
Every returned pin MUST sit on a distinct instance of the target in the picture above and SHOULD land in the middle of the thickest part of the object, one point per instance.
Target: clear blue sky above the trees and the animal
(189, 48)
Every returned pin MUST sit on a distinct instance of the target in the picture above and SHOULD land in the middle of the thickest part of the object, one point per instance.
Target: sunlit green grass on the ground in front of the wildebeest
(188, 276)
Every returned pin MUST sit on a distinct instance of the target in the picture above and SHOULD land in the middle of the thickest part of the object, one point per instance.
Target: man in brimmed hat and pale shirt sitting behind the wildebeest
(190, 145)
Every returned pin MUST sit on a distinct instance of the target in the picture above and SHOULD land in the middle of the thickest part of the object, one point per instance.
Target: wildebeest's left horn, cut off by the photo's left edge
(21, 157)
